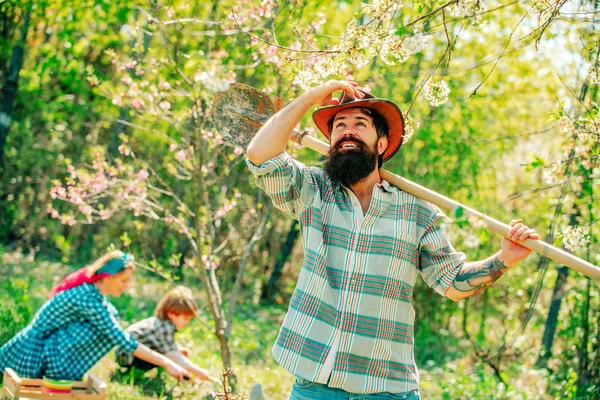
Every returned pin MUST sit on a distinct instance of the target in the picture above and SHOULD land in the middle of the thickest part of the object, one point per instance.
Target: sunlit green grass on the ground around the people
(447, 362)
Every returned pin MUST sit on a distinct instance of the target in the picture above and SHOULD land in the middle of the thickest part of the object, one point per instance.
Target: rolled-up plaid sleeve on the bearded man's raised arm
(290, 184)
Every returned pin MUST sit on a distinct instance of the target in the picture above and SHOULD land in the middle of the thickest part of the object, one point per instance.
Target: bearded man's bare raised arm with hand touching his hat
(272, 138)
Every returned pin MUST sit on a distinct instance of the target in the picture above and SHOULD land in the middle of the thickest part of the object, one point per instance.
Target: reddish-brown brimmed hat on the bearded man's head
(386, 108)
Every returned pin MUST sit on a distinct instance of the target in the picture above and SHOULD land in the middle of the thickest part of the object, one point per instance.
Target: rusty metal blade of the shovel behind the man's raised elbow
(240, 111)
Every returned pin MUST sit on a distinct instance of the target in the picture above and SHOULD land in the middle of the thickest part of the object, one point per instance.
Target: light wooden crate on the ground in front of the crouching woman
(15, 387)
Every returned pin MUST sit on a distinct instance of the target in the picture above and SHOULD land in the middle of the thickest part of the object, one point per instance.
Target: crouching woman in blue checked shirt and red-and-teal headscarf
(78, 326)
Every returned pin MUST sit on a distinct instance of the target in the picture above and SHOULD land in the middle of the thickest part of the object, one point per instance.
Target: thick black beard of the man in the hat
(350, 167)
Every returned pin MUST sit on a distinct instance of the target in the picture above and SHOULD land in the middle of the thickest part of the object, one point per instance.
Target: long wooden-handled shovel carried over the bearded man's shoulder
(240, 111)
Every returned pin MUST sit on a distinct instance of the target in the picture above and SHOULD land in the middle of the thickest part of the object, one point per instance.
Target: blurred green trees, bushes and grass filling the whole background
(95, 75)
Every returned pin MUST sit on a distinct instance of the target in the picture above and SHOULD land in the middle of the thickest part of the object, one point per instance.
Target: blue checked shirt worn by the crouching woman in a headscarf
(69, 334)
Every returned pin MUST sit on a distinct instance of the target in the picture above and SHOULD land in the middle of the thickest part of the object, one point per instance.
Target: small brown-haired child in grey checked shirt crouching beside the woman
(173, 312)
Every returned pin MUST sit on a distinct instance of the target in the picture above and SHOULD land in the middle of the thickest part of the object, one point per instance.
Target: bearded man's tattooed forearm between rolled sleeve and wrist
(476, 276)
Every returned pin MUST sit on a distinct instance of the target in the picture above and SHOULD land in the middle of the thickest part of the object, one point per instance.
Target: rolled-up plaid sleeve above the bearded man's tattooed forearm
(439, 263)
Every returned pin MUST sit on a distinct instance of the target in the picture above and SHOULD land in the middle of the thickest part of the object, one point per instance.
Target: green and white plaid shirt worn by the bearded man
(356, 282)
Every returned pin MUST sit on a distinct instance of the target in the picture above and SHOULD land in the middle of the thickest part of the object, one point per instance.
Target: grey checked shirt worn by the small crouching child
(153, 332)
